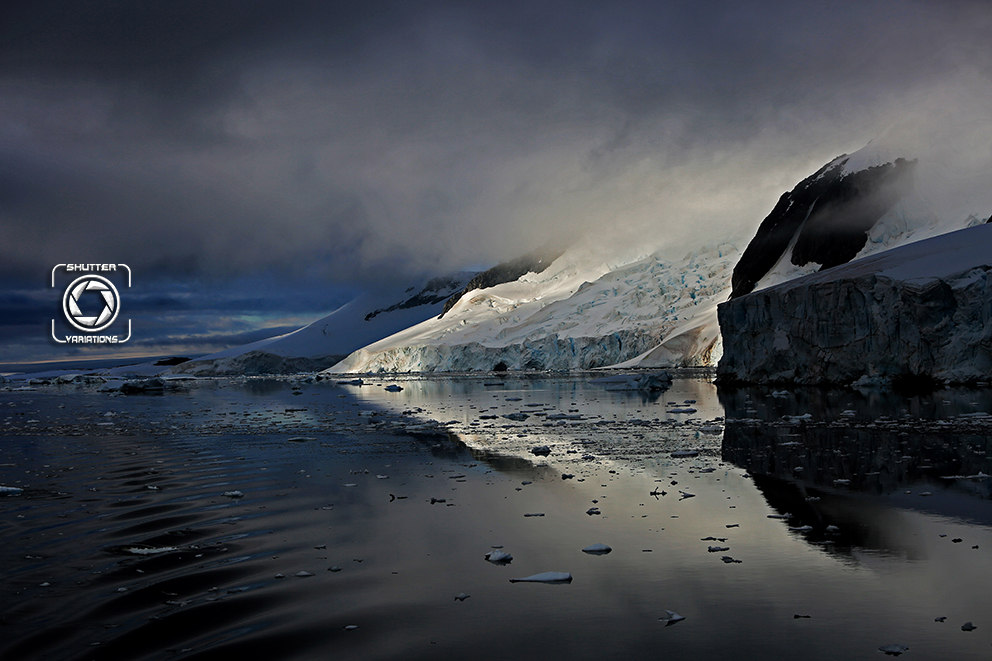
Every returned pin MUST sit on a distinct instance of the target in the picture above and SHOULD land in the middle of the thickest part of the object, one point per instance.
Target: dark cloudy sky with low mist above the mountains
(258, 163)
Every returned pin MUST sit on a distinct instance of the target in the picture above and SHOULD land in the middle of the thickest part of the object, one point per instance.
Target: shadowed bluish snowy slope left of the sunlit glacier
(328, 340)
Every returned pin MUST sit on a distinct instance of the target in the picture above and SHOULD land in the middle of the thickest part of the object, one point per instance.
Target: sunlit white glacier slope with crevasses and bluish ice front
(576, 313)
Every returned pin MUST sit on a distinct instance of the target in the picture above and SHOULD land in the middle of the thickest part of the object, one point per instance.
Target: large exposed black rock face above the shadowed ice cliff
(828, 214)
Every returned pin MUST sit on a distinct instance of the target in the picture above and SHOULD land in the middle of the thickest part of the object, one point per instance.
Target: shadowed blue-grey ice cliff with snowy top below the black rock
(922, 311)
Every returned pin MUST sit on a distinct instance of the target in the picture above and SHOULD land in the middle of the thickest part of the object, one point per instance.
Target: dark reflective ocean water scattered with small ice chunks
(356, 527)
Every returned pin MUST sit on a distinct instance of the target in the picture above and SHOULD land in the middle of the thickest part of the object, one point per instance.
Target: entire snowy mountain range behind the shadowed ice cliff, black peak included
(586, 307)
